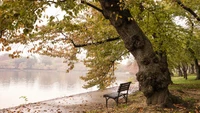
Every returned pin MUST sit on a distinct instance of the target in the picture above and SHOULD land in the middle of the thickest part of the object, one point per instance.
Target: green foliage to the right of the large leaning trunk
(157, 20)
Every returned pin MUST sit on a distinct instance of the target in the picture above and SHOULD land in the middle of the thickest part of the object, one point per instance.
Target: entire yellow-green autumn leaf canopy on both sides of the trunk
(83, 26)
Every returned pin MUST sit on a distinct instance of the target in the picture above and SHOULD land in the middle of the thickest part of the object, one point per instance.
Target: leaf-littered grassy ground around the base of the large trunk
(188, 90)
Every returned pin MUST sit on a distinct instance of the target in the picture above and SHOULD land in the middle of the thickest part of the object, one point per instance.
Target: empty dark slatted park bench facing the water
(121, 92)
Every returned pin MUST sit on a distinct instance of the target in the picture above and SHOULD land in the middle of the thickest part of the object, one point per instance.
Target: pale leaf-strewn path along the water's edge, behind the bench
(97, 96)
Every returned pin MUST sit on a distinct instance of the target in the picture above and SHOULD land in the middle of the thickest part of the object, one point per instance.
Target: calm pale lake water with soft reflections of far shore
(41, 85)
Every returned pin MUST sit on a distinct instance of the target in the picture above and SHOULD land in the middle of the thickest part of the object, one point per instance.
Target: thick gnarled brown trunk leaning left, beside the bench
(153, 75)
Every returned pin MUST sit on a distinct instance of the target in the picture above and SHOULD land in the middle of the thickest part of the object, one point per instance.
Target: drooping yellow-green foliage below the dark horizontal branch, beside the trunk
(102, 64)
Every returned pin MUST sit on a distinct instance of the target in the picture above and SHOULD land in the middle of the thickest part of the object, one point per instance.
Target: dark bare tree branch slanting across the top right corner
(188, 9)
